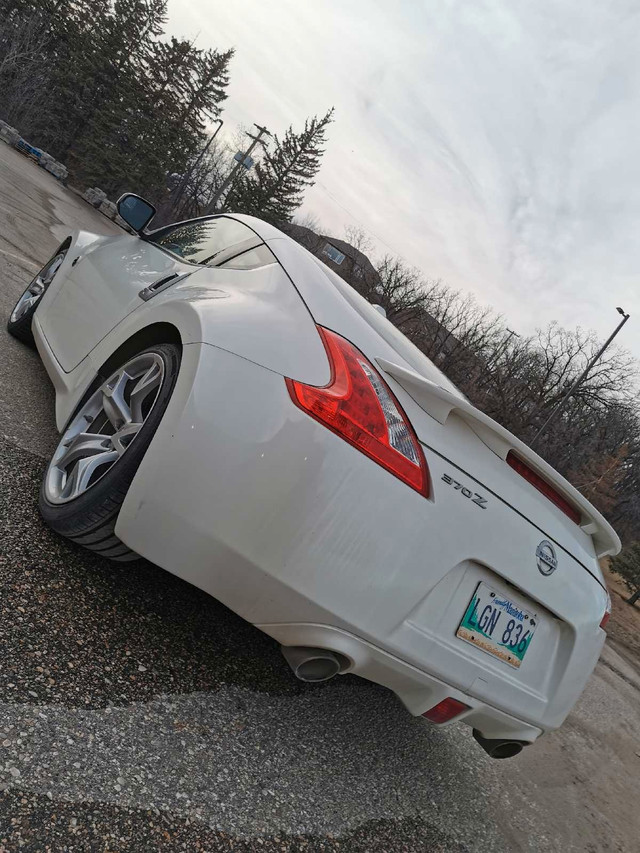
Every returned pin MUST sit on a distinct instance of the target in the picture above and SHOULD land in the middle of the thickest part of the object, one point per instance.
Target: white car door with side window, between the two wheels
(106, 284)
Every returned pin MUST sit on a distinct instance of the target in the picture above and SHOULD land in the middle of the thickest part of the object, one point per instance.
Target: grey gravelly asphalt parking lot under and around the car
(138, 714)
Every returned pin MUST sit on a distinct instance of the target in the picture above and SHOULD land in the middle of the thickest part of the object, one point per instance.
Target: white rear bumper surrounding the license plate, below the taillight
(248, 498)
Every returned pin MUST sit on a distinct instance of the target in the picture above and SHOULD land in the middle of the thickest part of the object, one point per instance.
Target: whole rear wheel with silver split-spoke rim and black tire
(100, 451)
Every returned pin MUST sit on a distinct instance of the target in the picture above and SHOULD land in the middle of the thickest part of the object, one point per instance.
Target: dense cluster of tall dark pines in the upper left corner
(121, 107)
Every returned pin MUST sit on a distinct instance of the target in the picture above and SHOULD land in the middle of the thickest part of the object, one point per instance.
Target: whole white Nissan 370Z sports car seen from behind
(233, 411)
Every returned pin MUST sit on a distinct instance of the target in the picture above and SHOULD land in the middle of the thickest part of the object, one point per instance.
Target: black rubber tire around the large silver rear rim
(90, 519)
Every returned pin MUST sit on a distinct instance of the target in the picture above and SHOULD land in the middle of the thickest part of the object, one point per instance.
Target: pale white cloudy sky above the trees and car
(492, 143)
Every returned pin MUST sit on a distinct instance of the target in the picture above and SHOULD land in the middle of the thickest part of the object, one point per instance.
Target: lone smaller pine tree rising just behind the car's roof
(275, 189)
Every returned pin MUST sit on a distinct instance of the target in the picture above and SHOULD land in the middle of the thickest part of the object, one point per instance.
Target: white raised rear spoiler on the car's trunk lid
(440, 403)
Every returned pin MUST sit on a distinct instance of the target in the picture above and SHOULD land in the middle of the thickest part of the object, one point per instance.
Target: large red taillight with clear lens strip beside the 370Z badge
(359, 406)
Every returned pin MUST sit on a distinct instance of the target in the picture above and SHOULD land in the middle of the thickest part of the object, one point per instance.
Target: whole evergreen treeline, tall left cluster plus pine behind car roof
(97, 85)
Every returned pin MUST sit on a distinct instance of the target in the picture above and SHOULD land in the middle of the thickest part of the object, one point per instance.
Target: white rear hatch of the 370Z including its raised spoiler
(444, 420)
